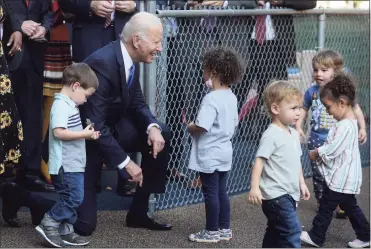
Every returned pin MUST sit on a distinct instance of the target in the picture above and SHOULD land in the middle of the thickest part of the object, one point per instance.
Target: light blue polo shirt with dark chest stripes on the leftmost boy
(69, 154)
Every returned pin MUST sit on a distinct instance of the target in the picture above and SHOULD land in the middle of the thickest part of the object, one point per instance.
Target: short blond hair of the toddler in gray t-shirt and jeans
(278, 91)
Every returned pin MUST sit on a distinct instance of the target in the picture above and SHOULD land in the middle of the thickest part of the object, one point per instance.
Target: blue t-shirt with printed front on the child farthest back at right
(321, 121)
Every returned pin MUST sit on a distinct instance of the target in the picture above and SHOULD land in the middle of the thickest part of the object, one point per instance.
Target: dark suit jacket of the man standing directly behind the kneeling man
(88, 29)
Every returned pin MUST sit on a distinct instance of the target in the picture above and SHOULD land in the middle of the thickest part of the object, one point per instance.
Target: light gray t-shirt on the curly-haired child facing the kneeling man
(218, 115)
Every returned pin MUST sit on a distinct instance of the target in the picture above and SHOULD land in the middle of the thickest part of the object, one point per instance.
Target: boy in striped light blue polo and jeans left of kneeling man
(67, 156)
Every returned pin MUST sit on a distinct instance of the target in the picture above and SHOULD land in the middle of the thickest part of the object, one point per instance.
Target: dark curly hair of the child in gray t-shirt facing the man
(225, 63)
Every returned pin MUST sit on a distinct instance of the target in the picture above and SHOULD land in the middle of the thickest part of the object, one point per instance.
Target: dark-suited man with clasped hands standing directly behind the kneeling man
(96, 23)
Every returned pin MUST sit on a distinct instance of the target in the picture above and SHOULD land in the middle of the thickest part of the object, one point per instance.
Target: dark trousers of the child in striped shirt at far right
(347, 202)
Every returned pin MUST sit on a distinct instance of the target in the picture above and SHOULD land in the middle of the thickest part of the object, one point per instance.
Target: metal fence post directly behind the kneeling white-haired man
(150, 93)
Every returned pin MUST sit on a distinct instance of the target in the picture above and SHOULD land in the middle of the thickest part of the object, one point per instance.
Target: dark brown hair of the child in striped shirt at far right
(341, 86)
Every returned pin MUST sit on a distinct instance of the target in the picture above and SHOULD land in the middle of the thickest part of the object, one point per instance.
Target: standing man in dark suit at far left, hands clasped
(34, 19)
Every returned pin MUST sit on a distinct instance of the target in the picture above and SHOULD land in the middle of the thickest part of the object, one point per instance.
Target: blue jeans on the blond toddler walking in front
(283, 225)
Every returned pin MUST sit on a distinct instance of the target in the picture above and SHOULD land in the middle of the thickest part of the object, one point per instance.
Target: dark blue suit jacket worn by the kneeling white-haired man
(116, 110)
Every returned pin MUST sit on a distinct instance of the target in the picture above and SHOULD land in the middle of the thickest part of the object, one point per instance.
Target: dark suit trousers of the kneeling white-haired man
(154, 175)
